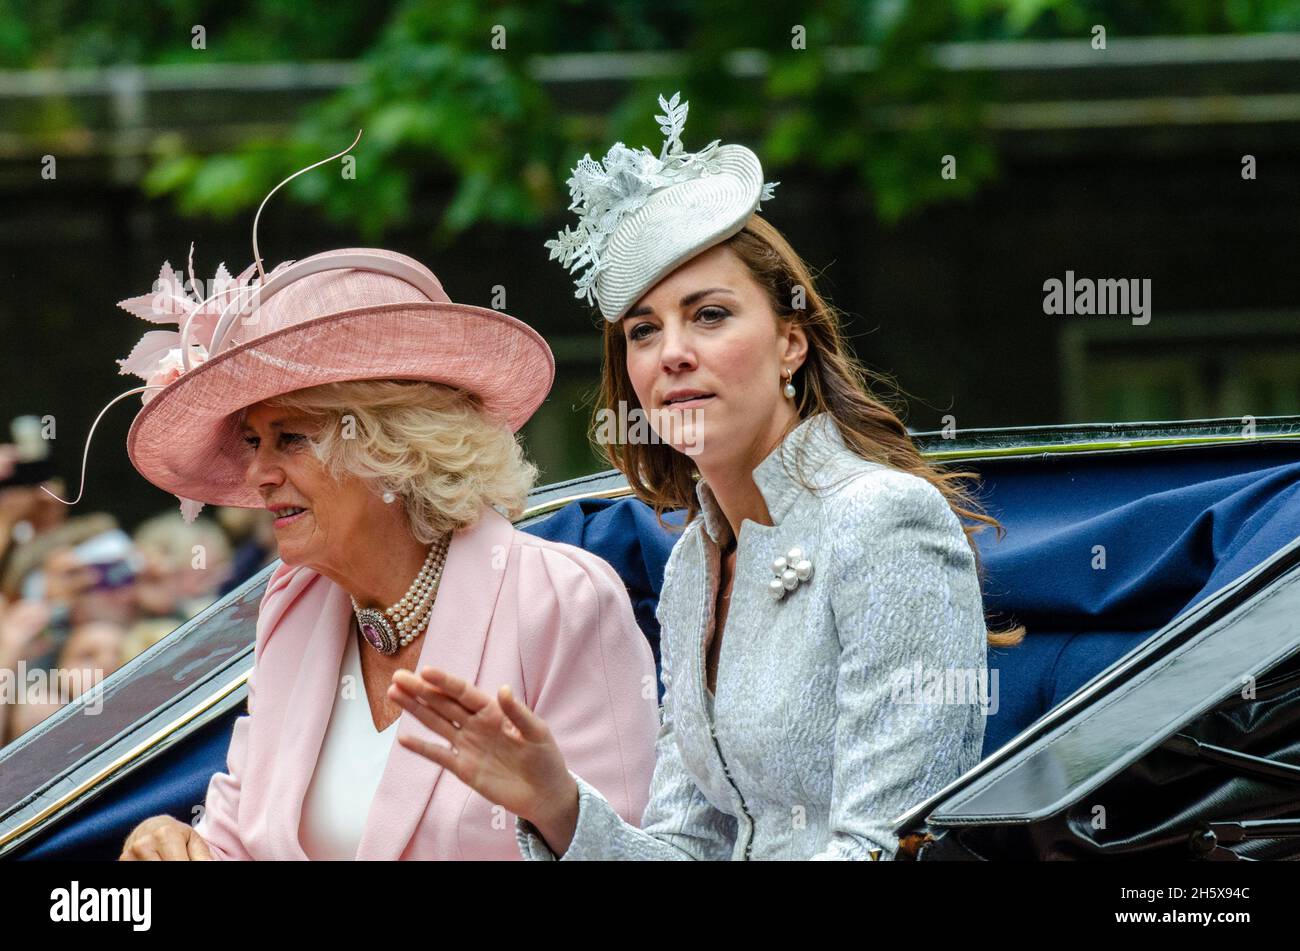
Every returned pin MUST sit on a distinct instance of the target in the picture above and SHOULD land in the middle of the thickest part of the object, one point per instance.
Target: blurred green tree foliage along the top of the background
(440, 103)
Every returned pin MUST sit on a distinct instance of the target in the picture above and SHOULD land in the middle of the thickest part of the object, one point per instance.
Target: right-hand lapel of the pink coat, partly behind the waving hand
(454, 642)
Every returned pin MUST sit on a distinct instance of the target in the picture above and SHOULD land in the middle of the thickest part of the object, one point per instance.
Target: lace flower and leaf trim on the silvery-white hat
(604, 193)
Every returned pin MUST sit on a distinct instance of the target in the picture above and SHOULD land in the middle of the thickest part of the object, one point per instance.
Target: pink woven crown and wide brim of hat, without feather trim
(340, 324)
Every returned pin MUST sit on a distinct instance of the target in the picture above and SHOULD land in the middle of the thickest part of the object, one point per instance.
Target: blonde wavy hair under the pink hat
(431, 445)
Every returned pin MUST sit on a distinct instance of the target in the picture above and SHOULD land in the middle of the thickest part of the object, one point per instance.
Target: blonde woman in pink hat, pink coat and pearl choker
(348, 394)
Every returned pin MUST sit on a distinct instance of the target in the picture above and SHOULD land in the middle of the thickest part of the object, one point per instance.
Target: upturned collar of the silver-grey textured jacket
(805, 451)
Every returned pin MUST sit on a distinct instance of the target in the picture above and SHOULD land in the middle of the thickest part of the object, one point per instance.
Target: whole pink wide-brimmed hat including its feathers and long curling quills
(357, 314)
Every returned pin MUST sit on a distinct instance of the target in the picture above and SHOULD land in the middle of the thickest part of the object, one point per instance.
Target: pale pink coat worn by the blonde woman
(551, 620)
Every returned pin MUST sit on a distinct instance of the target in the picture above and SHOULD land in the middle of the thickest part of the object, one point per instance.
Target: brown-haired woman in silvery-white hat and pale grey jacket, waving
(825, 589)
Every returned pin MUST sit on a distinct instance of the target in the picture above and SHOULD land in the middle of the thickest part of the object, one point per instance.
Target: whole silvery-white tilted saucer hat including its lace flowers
(642, 216)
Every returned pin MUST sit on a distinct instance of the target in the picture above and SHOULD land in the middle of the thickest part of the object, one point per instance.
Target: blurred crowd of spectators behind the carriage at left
(80, 596)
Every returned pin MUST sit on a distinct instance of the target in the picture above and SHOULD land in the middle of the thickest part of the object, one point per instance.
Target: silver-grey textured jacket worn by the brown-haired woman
(827, 723)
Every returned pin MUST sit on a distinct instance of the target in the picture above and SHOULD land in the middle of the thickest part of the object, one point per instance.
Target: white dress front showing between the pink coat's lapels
(348, 771)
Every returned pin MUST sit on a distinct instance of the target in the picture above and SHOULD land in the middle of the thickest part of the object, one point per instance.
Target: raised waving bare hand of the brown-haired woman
(499, 748)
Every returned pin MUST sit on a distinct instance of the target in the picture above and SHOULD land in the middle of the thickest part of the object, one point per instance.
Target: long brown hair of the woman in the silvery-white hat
(830, 381)
